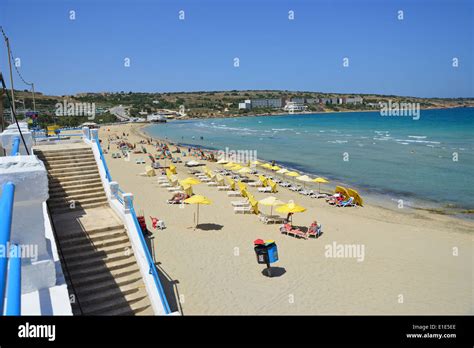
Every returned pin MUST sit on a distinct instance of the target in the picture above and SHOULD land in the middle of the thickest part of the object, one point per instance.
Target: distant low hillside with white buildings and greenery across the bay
(110, 107)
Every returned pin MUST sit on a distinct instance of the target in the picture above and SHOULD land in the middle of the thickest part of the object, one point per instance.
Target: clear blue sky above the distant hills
(386, 56)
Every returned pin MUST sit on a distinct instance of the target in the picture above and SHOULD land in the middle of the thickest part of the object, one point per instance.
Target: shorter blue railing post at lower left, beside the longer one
(14, 282)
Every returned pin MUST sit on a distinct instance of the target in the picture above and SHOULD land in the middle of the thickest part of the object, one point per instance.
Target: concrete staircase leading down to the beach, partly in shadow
(97, 257)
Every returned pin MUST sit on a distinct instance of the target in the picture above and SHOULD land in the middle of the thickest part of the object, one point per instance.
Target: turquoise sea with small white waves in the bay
(428, 163)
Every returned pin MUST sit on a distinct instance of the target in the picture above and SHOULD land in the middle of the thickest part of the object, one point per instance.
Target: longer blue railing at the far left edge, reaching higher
(6, 213)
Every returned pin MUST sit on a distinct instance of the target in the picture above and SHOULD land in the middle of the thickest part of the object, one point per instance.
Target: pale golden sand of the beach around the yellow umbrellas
(415, 262)
